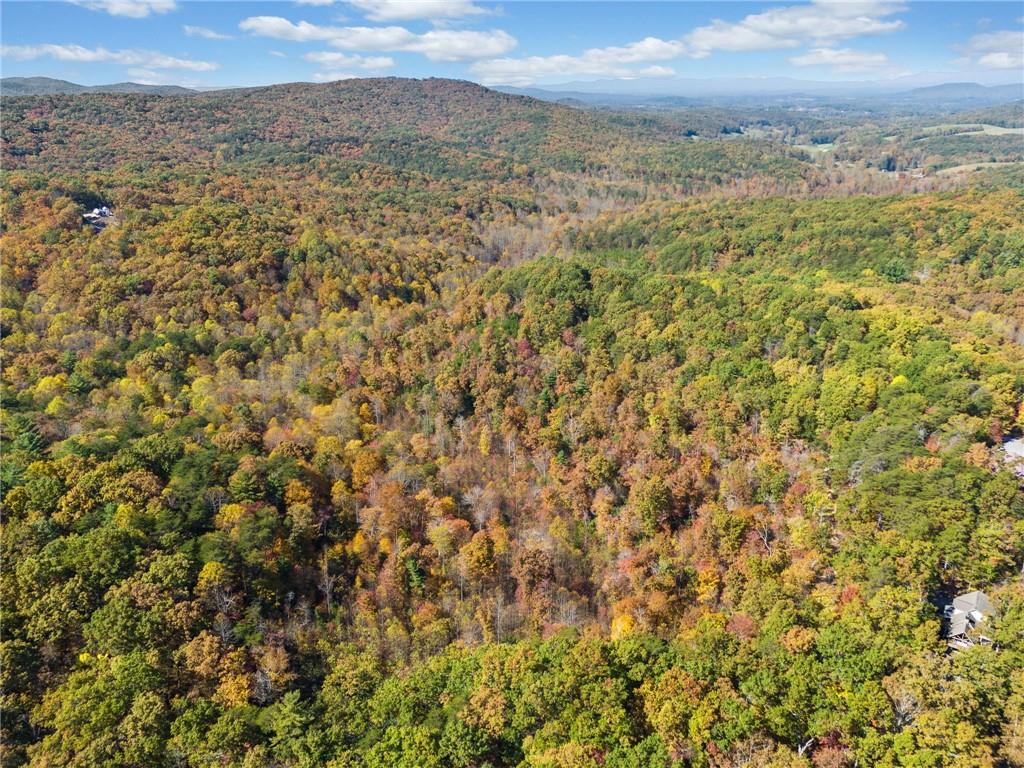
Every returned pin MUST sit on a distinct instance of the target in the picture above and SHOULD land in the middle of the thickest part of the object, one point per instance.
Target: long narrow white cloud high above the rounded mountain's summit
(438, 46)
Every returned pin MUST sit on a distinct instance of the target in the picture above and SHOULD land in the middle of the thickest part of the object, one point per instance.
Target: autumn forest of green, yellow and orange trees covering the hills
(405, 423)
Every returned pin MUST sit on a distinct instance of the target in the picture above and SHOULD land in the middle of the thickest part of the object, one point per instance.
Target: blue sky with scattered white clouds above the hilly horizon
(234, 44)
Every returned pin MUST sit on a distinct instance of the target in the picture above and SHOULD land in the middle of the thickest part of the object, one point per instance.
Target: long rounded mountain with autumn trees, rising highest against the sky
(442, 127)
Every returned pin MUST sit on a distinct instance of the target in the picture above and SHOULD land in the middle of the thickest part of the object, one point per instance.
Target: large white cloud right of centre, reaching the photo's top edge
(791, 27)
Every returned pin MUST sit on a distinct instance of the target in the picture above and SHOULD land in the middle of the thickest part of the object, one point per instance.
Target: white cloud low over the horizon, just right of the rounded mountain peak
(614, 62)
